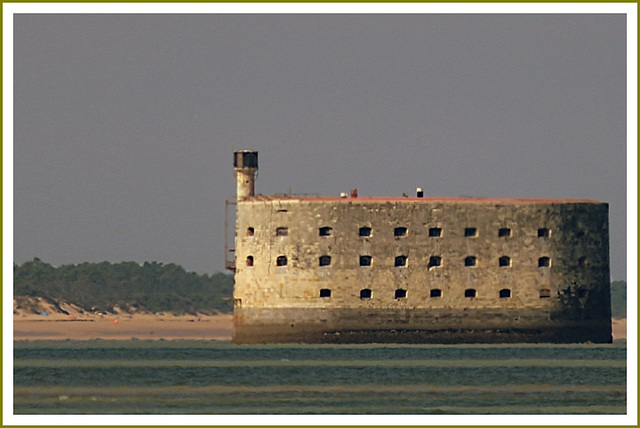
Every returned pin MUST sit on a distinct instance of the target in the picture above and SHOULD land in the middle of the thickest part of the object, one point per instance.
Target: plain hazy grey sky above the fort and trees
(125, 125)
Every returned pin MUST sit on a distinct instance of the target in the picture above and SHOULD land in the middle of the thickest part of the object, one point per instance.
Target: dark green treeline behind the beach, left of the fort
(153, 287)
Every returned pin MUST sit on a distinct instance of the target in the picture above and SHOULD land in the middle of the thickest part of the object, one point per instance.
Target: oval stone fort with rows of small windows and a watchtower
(352, 269)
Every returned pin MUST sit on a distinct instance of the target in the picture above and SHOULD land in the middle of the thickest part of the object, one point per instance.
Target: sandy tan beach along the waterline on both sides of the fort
(125, 326)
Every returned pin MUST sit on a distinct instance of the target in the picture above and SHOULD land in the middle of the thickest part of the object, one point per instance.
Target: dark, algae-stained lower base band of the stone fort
(413, 327)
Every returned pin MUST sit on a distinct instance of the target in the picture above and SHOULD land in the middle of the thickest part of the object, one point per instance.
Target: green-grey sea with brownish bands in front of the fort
(210, 377)
